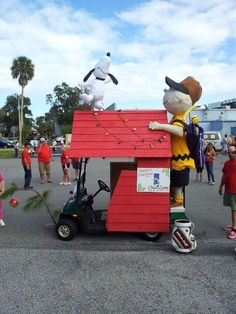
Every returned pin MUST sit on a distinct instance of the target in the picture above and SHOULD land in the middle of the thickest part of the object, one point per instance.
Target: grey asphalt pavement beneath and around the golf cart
(113, 273)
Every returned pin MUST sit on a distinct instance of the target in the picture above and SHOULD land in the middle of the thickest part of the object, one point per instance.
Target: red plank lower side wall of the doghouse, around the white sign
(130, 210)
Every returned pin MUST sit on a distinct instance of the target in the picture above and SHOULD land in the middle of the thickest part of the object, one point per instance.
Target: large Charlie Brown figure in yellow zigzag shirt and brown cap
(179, 100)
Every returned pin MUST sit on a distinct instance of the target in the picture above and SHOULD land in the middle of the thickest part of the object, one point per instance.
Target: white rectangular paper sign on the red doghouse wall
(153, 179)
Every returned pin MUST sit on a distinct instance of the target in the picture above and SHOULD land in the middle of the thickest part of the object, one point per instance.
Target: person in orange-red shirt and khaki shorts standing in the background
(44, 160)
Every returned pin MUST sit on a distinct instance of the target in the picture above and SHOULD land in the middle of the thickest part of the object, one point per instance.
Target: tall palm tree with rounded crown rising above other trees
(23, 69)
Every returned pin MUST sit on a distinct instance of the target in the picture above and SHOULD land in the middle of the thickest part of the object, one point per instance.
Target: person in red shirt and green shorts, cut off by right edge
(228, 181)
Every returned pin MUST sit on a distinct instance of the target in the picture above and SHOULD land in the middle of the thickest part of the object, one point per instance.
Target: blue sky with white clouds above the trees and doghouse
(148, 40)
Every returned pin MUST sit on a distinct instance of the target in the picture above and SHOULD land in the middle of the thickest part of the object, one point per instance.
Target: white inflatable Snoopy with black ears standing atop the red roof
(96, 86)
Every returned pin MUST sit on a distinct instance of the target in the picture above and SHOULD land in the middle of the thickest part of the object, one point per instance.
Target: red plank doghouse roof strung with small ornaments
(119, 134)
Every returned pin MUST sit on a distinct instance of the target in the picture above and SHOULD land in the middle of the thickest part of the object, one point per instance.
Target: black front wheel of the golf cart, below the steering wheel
(66, 229)
